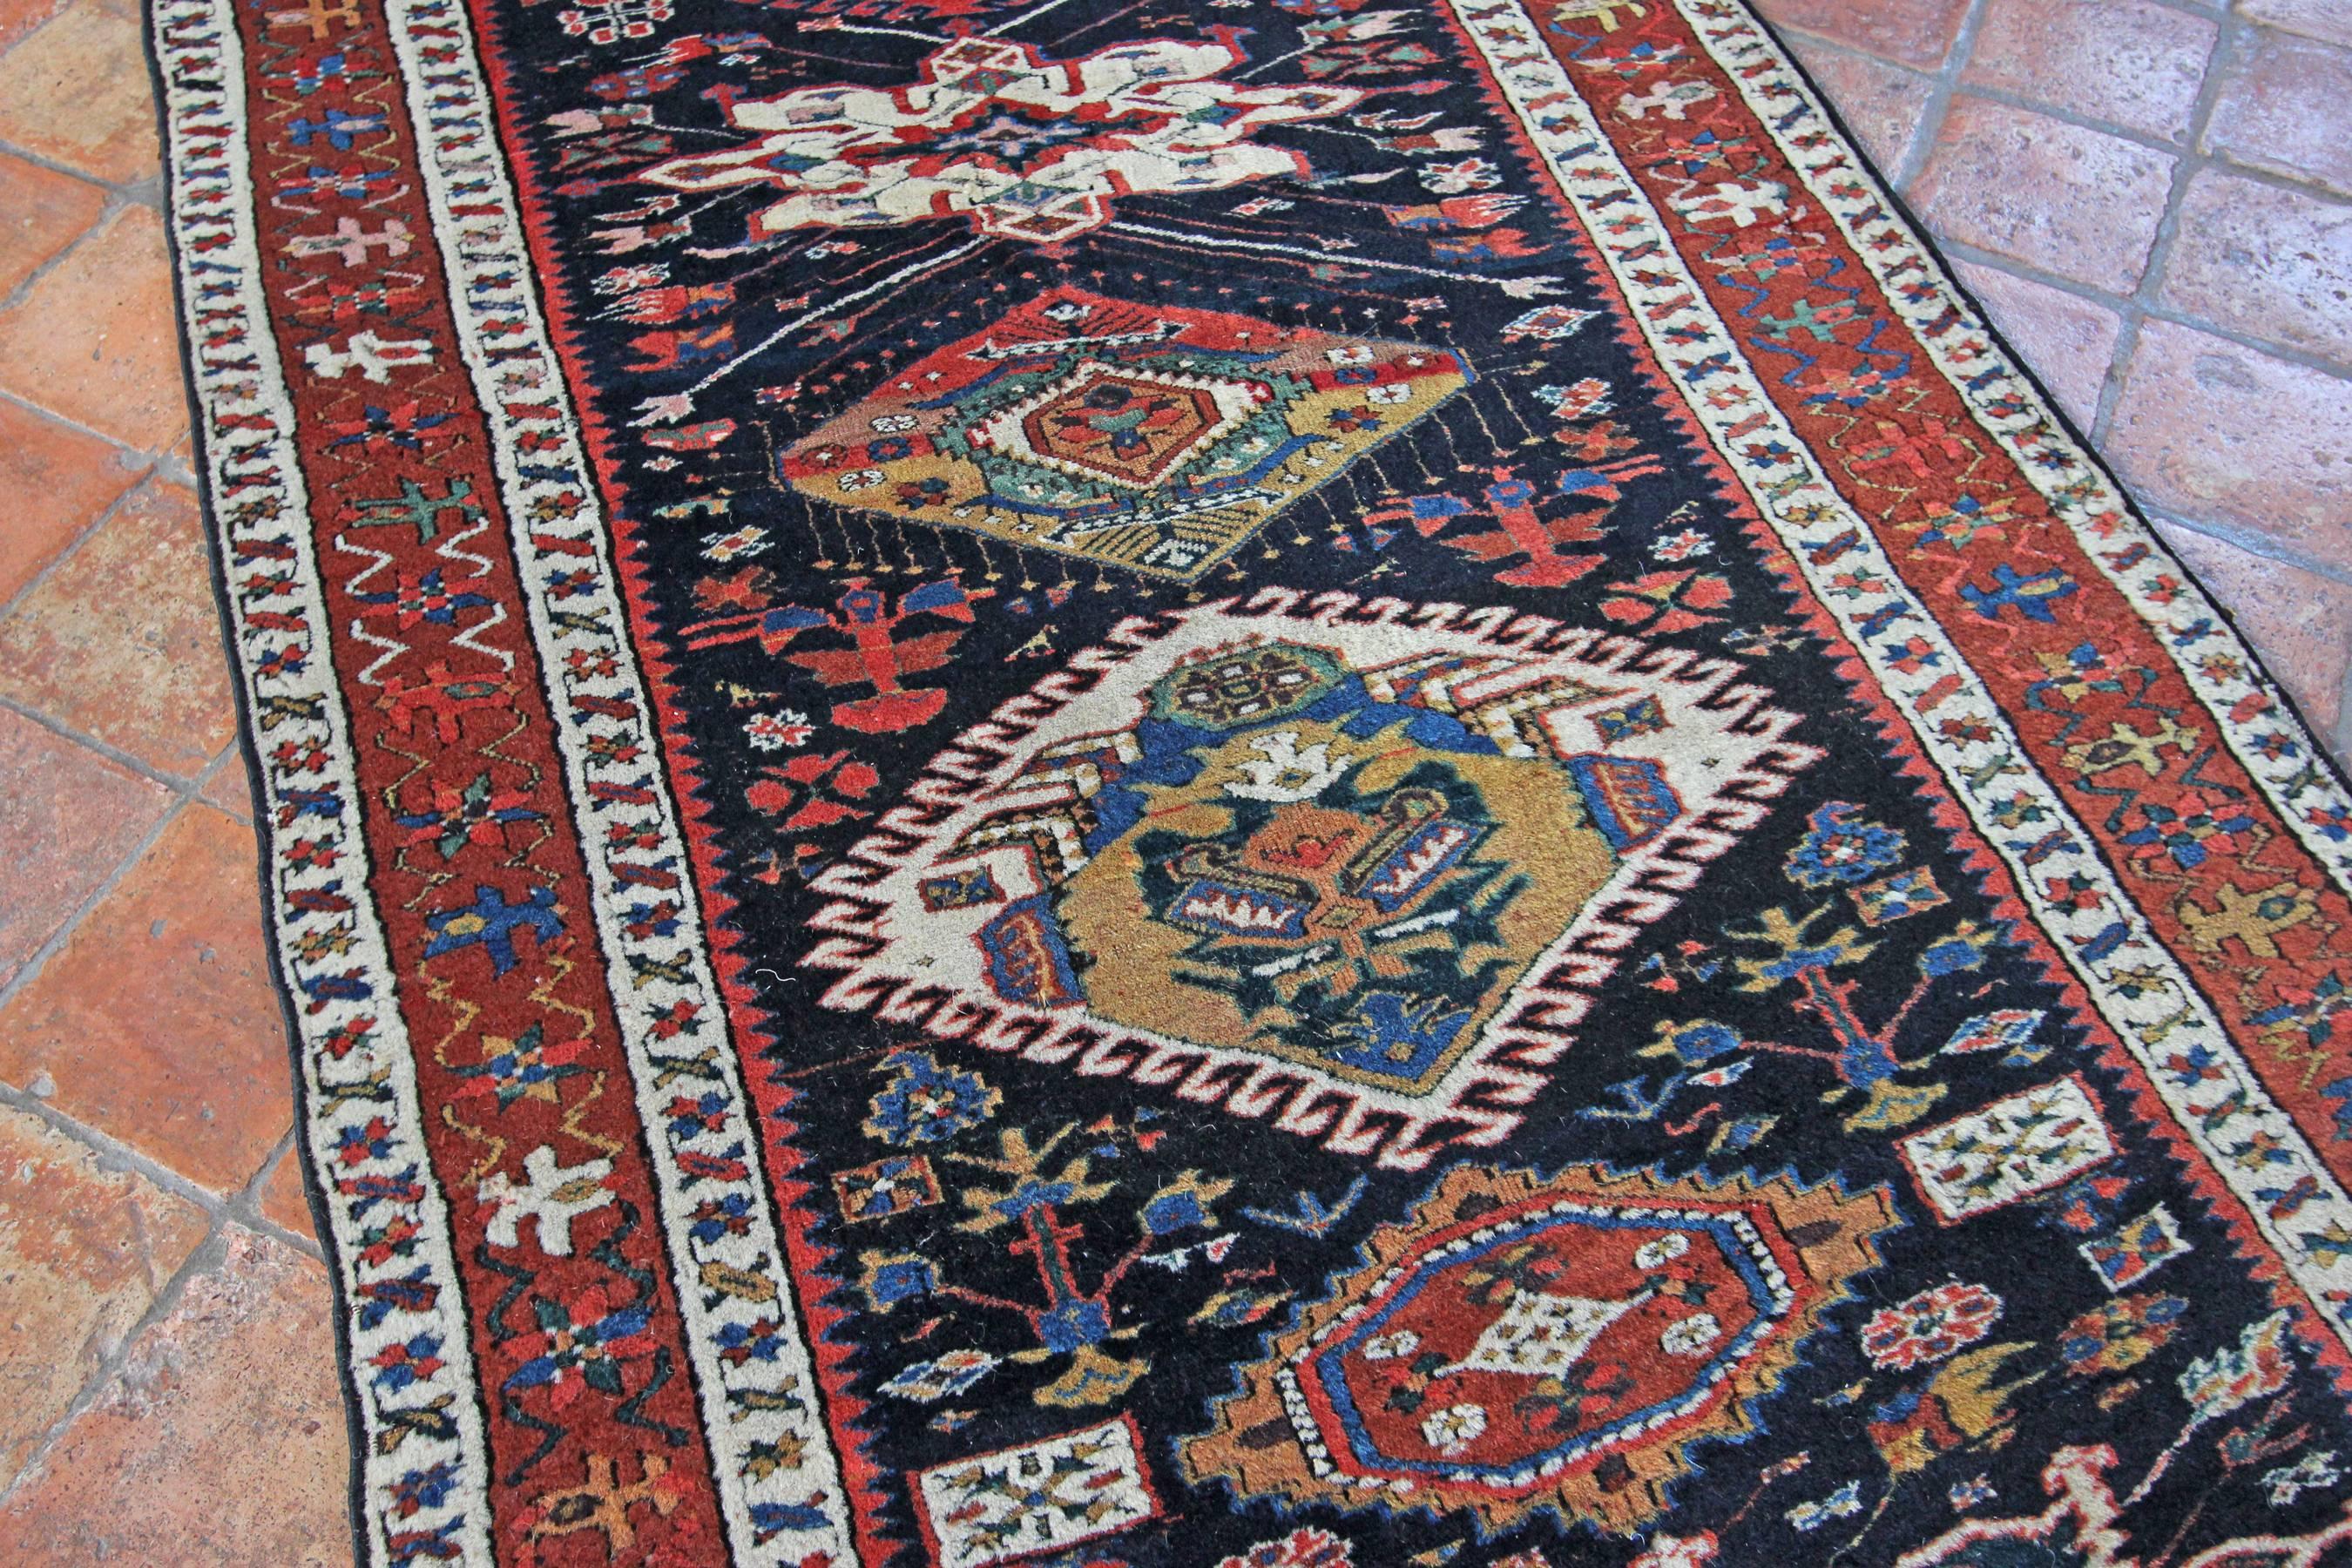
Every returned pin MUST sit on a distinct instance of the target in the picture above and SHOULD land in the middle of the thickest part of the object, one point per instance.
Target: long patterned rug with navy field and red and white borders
(1236, 786)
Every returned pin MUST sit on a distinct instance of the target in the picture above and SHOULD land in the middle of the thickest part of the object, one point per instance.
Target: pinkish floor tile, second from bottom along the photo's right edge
(2210, 429)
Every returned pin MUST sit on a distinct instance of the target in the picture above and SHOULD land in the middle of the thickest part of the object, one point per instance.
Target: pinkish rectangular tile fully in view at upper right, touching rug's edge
(2057, 196)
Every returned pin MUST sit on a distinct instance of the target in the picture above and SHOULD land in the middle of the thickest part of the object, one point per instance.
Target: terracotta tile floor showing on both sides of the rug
(2153, 196)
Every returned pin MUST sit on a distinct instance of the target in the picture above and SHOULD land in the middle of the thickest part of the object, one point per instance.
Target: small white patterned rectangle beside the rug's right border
(2007, 1151)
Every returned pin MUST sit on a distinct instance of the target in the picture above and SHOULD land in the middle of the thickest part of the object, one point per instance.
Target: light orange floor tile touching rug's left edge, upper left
(95, 340)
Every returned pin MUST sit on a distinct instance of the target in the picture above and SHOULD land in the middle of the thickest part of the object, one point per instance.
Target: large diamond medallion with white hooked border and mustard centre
(1344, 871)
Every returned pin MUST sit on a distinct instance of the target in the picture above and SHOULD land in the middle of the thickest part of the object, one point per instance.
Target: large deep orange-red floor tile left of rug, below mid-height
(159, 1021)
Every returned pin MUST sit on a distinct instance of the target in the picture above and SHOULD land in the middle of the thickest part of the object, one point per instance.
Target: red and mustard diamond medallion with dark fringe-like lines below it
(1142, 436)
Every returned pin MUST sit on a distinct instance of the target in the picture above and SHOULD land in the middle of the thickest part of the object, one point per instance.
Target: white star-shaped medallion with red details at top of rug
(1027, 147)
